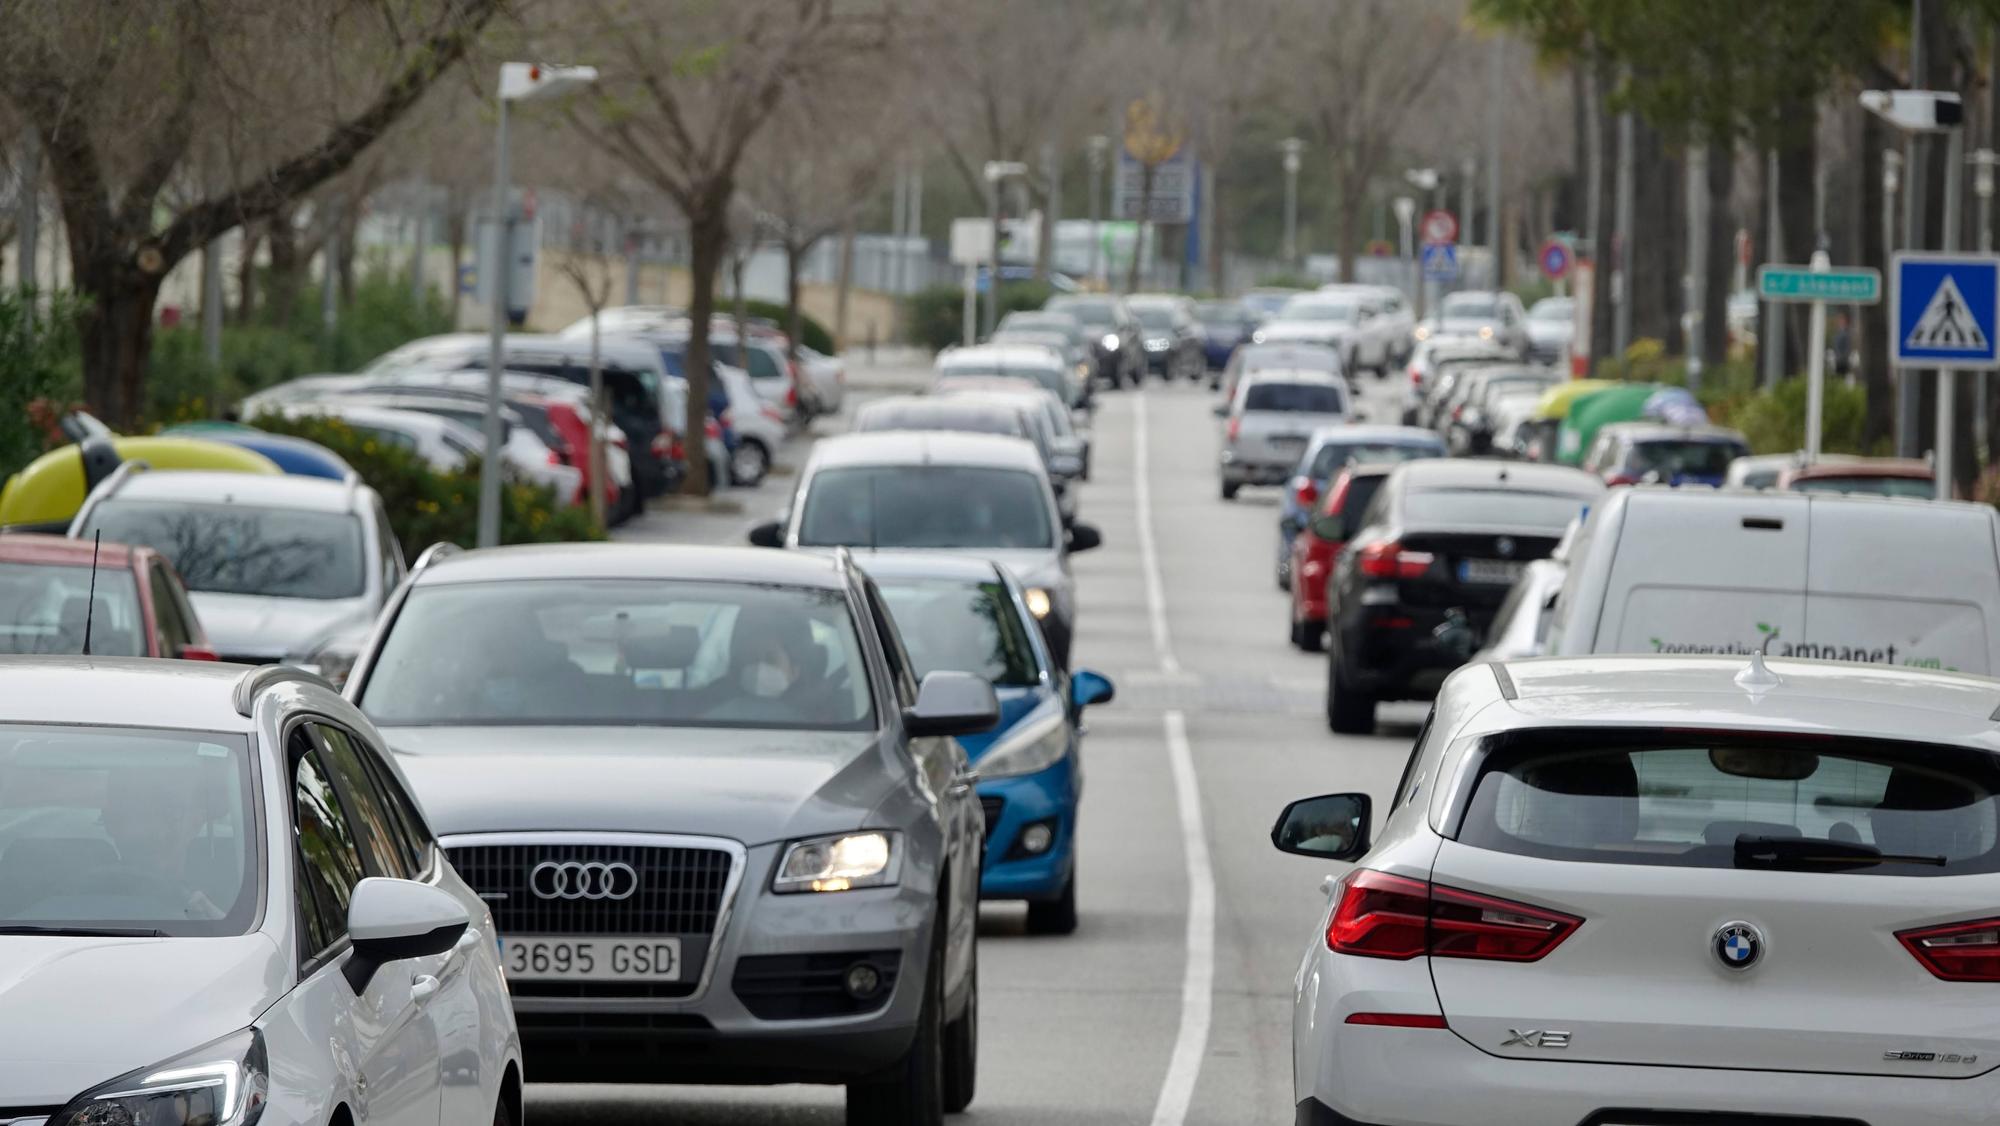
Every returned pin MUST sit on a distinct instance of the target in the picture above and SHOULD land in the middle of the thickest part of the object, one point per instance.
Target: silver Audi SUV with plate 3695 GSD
(723, 827)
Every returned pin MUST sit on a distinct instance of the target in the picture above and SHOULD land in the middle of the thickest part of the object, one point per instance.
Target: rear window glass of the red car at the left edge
(43, 609)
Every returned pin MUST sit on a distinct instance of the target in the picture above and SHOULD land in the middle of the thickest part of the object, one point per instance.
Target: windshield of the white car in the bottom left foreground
(127, 831)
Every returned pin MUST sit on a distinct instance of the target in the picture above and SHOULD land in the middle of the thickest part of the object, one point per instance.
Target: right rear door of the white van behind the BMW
(1907, 583)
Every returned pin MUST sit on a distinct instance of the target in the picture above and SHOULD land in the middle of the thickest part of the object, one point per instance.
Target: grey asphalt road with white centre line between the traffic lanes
(1171, 1005)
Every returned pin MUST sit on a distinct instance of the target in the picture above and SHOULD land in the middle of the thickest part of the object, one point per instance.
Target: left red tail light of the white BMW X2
(1393, 917)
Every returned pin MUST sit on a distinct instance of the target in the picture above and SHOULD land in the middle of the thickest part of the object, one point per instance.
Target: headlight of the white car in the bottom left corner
(221, 1085)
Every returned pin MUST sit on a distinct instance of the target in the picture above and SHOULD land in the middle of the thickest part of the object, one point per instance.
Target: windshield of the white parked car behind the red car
(235, 549)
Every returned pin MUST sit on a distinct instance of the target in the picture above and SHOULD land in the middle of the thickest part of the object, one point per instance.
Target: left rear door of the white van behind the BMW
(1697, 573)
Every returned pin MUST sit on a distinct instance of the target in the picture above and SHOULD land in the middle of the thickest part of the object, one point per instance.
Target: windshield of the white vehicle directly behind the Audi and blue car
(939, 507)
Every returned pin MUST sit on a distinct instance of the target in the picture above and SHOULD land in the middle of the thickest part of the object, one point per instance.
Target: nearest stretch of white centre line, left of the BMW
(1199, 981)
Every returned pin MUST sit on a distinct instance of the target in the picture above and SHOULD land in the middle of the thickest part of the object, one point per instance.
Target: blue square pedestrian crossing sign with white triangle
(1945, 311)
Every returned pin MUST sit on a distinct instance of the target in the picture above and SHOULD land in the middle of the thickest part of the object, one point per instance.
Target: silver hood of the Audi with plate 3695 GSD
(743, 785)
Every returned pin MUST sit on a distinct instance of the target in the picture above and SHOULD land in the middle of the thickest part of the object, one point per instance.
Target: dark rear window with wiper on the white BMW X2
(1731, 801)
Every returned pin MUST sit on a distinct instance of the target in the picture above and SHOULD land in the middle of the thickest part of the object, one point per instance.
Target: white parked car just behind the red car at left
(271, 561)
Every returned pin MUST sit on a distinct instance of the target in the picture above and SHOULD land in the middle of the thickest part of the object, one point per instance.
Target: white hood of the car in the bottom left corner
(87, 1011)
